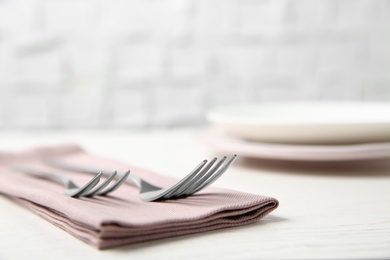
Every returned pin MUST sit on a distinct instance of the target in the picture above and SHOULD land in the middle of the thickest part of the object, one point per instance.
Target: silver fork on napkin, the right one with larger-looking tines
(202, 176)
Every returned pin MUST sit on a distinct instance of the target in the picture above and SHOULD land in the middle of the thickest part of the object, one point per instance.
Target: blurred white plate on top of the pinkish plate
(306, 122)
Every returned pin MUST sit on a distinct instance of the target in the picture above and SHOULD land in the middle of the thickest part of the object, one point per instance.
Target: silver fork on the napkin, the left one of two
(71, 189)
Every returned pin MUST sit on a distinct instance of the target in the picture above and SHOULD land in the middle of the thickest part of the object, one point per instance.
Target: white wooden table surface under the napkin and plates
(326, 211)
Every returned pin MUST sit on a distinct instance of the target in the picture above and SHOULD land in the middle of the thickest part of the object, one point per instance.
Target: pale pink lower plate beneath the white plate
(292, 152)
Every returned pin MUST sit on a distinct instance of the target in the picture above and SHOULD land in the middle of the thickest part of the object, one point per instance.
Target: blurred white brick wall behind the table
(131, 63)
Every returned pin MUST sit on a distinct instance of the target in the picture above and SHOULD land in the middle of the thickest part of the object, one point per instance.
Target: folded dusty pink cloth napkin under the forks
(121, 218)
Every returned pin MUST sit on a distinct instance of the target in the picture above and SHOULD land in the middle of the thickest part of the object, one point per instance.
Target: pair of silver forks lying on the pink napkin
(199, 178)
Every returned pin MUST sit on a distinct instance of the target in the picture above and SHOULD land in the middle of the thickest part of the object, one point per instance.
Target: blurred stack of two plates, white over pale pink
(315, 131)
